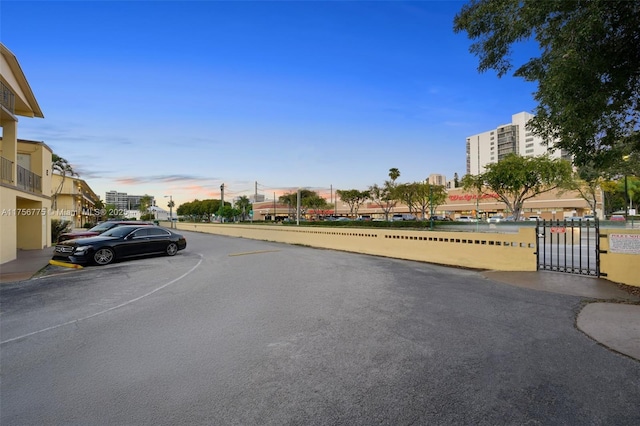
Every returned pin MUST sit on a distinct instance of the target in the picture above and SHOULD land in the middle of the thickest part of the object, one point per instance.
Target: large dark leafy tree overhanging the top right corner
(588, 69)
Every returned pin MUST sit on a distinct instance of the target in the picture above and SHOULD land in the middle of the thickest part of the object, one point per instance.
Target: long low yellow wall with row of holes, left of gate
(505, 252)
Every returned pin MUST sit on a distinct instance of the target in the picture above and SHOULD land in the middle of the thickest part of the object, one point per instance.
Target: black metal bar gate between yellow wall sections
(571, 246)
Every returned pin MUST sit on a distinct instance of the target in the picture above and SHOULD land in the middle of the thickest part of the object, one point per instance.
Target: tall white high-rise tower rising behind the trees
(512, 138)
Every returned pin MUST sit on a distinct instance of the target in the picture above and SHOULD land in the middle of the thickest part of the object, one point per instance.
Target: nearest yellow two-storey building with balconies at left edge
(25, 167)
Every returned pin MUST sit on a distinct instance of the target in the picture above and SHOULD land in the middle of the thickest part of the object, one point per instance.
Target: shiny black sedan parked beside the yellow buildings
(120, 243)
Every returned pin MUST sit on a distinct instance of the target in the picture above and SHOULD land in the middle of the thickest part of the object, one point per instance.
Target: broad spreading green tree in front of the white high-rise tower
(516, 179)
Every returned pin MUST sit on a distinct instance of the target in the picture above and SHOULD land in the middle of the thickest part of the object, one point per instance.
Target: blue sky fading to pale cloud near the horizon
(177, 98)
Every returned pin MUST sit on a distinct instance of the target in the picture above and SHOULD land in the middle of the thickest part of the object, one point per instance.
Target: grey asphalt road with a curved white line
(243, 332)
